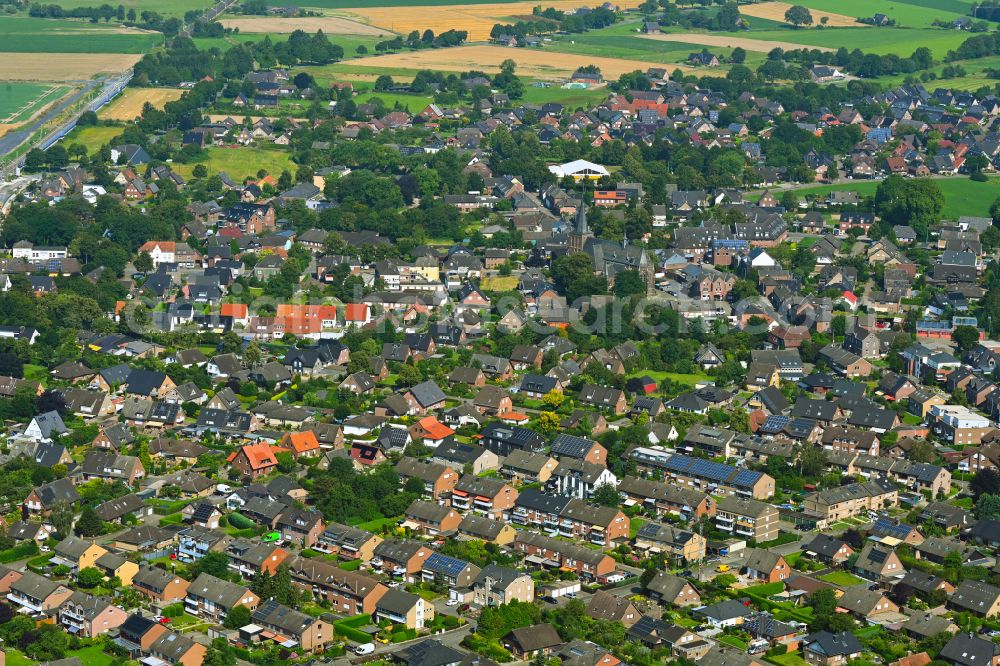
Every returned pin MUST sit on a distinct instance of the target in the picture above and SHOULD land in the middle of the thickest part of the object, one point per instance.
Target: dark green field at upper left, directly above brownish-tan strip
(33, 35)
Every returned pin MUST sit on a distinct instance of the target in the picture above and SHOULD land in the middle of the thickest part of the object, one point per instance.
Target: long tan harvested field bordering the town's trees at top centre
(536, 63)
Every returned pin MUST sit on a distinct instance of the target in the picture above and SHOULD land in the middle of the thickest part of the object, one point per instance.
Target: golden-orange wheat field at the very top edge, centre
(477, 20)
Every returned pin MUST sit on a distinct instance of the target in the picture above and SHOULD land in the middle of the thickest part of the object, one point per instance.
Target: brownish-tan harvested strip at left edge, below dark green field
(63, 66)
